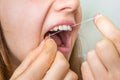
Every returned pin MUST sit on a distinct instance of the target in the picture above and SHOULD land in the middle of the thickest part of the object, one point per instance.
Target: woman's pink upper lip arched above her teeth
(63, 22)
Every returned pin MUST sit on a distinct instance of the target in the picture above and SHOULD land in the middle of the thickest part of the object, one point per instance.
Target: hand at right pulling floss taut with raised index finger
(103, 63)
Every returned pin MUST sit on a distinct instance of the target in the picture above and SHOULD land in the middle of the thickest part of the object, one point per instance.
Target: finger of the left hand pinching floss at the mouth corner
(38, 62)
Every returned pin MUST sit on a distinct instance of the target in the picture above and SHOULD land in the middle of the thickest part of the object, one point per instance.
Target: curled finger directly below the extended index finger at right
(108, 54)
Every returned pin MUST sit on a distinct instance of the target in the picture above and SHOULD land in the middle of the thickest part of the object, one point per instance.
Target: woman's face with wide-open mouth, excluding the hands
(26, 23)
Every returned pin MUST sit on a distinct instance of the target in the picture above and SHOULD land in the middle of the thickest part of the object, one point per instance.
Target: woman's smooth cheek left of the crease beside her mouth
(22, 26)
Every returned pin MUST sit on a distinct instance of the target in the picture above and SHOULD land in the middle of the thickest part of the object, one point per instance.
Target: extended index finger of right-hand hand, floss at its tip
(108, 30)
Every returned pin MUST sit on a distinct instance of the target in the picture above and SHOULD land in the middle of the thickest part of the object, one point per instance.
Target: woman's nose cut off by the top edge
(67, 5)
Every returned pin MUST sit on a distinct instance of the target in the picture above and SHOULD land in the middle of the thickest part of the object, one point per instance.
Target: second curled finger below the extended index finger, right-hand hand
(98, 69)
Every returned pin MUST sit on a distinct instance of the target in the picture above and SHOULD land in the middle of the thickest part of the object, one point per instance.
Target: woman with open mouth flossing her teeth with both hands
(25, 43)
